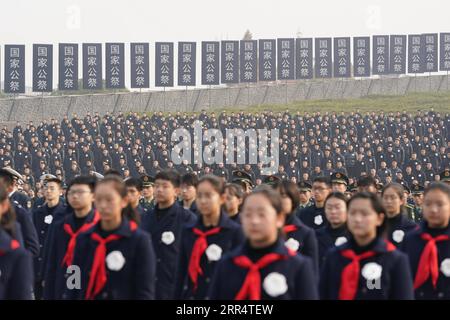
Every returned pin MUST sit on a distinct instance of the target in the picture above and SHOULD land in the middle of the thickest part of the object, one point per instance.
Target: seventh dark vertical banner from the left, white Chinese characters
(164, 64)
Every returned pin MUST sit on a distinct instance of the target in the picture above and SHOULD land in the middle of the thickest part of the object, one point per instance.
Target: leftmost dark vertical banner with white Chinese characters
(14, 68)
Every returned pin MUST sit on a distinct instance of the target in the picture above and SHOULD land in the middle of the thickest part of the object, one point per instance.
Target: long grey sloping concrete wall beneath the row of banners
(24, 109)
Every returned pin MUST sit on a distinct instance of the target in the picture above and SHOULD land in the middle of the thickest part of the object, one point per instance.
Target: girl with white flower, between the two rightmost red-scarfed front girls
(397, 223)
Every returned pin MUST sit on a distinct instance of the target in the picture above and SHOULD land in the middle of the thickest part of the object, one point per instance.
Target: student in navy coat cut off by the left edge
(15, 262)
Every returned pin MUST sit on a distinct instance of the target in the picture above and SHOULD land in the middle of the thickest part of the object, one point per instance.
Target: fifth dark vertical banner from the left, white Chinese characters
(115, 66)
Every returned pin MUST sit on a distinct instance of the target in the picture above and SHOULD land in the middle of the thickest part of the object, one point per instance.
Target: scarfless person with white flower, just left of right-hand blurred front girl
(335, 233)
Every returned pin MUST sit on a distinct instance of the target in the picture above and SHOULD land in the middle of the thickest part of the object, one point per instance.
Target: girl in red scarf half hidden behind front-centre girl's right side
(298, 236)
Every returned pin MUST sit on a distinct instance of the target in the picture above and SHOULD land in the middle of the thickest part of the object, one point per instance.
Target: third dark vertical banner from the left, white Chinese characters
(68, 66)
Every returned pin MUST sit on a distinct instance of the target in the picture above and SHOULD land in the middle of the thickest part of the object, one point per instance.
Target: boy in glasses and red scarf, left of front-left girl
(63, 235)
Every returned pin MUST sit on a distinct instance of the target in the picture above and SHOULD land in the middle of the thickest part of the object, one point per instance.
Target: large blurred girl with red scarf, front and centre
(263, 267)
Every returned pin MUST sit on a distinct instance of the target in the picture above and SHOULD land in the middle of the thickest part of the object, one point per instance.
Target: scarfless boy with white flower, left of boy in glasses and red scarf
(52, 211)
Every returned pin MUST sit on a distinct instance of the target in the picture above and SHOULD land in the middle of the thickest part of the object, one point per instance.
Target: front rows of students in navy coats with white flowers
(175, 236)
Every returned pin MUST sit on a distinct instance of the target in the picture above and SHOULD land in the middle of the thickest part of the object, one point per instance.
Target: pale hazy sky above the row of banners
(50, 21)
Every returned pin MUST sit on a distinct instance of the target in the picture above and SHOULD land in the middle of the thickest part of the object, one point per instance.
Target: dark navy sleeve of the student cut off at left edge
(22, 278)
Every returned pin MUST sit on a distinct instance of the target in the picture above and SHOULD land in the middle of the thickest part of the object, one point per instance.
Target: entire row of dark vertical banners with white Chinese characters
(228, 62)
